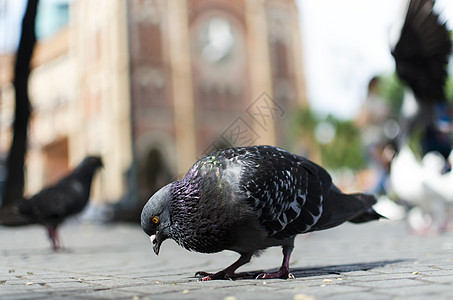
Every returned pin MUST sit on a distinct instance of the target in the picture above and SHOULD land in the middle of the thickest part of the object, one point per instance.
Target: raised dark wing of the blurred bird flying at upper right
(422, 52)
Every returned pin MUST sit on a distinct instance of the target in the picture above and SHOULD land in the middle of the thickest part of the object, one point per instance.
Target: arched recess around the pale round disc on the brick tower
(219, 57)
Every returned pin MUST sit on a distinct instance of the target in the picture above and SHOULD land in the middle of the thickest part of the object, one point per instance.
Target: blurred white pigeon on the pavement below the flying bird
(422, 185)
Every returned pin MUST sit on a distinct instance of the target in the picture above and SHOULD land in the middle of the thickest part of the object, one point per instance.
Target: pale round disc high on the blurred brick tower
(216, 40)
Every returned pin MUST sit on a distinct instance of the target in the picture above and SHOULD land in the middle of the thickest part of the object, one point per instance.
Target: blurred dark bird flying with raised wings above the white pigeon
(421, 48)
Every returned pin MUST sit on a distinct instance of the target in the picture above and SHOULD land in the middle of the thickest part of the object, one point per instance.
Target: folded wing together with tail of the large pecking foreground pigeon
(291, 194)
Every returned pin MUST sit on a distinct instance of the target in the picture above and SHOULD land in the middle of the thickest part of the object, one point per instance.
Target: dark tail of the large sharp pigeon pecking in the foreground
(339, 208)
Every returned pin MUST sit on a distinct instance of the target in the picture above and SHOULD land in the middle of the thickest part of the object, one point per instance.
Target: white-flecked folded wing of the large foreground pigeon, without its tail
(291, 198)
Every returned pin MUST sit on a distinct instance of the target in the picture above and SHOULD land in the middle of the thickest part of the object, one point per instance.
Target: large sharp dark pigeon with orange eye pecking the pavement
(247, 199)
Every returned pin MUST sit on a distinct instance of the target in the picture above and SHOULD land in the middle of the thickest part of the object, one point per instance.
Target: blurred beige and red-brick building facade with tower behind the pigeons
(152, 85)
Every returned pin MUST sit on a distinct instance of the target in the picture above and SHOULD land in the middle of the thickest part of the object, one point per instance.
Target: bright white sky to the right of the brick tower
(346, 43)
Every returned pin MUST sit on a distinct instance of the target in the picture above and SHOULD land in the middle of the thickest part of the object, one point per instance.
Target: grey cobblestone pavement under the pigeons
(369, 261)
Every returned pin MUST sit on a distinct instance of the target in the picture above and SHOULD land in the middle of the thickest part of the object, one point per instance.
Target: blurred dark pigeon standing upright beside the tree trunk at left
(69, 196)
